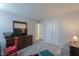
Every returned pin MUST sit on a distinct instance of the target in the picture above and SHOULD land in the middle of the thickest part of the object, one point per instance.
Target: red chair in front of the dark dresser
(12, 49)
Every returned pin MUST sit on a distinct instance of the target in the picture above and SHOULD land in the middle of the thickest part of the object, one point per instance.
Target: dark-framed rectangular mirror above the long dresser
(19, 28)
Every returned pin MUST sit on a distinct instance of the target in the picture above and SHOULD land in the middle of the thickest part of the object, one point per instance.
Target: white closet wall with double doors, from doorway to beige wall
(50, 31)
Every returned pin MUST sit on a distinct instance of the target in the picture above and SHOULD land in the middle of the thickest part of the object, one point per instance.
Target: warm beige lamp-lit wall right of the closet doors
(69, 26)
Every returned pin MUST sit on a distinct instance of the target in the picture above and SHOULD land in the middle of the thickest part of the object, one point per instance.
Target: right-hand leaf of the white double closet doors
(55, 32)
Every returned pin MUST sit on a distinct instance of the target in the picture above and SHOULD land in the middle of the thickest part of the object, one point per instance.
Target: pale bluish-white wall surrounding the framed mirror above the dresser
(6, 24)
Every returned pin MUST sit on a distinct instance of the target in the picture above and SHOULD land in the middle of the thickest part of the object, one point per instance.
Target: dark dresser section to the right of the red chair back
(25, 41)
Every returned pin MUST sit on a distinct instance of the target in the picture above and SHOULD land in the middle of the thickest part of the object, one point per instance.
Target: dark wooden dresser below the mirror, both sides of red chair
(24, 41)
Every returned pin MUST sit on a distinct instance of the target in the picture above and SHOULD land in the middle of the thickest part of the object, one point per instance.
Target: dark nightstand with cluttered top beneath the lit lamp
(74, 47)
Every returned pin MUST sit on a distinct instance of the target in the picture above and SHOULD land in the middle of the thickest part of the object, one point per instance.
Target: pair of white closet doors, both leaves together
(52, 32)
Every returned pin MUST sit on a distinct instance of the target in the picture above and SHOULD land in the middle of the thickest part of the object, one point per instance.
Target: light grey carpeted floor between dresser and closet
(40, 46)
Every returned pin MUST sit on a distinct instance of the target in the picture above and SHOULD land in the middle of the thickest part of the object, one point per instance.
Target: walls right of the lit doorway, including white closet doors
(60, 29)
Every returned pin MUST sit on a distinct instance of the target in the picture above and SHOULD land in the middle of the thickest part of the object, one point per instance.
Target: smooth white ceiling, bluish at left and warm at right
(39, 10)
